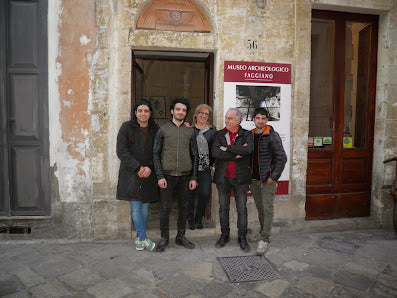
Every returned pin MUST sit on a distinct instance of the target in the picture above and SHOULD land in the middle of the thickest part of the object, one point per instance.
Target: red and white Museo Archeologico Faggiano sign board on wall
(248, 85)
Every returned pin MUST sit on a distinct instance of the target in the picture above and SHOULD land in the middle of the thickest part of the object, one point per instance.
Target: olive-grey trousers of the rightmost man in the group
(264, 198)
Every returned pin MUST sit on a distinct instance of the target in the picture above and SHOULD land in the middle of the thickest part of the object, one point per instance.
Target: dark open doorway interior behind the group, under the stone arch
(160, 76)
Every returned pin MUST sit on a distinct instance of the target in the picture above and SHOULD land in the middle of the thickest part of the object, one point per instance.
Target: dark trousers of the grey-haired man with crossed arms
(240, 195)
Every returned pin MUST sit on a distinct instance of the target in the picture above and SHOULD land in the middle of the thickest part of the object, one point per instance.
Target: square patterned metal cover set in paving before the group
(248, 268)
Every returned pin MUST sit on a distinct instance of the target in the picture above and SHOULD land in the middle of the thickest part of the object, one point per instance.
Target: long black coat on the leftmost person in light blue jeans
(133, 154)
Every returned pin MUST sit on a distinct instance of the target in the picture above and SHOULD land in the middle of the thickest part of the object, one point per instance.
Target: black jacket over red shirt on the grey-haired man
(222, 158)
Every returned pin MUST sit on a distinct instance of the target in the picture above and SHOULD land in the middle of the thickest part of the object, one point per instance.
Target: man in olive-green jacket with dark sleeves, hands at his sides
(175, 162)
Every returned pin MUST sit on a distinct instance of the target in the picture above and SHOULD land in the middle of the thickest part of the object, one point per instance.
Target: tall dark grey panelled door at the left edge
(24, 186)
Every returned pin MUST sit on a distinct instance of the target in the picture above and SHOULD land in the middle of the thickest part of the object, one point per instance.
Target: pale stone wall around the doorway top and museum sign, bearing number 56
(233, 23)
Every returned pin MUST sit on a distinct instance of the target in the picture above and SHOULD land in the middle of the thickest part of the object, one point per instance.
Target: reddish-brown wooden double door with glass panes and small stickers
(342, 109)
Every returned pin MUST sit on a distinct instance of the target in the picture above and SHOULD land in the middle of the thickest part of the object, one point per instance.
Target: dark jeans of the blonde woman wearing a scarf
(204, 189)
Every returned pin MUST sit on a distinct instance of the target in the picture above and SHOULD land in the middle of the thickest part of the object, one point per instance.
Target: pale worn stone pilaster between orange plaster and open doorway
(110, 107)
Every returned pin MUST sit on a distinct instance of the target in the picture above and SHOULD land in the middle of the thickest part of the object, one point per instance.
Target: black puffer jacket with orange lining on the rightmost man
(272, 157)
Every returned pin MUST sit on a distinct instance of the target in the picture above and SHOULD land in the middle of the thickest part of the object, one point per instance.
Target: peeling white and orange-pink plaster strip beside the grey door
(72, 35)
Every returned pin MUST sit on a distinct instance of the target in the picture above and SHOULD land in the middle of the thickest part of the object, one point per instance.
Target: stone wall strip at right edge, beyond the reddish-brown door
(385, 143)
